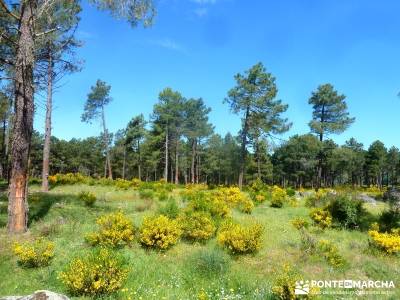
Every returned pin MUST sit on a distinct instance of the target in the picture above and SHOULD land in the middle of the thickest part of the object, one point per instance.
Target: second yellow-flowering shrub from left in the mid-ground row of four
(159, 232)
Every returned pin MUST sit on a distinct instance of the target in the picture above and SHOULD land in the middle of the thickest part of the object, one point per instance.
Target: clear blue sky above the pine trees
(196, 47)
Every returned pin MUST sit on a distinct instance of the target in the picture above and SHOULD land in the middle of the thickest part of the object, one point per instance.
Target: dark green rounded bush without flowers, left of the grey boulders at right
(346, 211)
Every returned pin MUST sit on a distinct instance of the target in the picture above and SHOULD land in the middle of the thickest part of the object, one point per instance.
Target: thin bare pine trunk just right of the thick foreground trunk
(47, 135)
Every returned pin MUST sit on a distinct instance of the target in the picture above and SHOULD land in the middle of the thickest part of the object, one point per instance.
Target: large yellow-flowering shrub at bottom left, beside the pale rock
(101, 272)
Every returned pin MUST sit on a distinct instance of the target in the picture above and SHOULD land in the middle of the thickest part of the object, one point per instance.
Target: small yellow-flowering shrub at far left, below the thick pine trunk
(34, 254)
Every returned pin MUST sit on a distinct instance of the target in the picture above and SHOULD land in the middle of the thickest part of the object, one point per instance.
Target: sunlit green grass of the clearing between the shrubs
(61, 217)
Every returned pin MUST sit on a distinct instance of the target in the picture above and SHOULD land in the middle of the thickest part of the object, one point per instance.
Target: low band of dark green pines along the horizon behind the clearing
(293, 163)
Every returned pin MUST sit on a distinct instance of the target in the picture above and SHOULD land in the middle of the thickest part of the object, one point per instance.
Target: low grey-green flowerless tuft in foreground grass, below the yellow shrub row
(209, 262)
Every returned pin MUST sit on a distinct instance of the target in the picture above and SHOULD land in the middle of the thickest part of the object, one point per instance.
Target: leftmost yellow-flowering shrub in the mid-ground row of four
(115, 230)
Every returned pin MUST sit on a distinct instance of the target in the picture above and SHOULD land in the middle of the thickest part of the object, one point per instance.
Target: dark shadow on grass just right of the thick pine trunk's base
(41, 203)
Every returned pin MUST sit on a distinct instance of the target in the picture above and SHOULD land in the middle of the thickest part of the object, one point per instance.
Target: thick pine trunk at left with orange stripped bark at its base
(23, 122)
